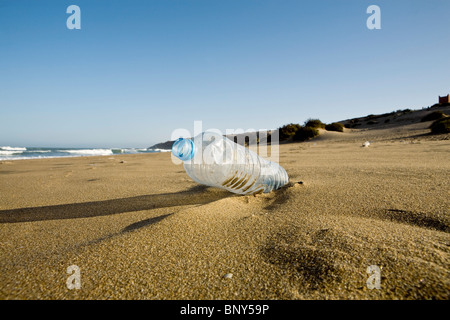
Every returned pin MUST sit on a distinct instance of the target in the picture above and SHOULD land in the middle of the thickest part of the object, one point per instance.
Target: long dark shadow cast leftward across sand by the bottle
(197, 195)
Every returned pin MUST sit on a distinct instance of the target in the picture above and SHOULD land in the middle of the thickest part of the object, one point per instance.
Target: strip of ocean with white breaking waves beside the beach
(18, 153)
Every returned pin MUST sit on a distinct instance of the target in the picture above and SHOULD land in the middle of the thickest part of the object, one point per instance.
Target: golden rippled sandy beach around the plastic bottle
(139, 228)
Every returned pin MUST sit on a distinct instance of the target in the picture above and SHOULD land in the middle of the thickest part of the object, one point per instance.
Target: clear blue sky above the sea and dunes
(137, 70)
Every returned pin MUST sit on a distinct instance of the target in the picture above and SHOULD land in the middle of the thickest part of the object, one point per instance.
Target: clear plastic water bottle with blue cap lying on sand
(214, 160)
